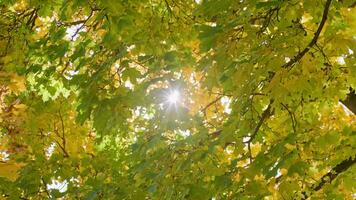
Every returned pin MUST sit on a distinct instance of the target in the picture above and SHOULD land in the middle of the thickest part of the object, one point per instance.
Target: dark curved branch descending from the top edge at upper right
(314, 40)
